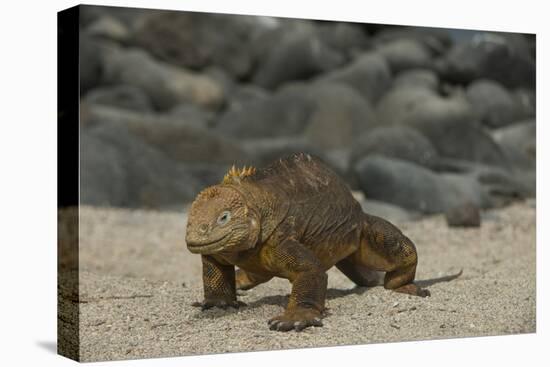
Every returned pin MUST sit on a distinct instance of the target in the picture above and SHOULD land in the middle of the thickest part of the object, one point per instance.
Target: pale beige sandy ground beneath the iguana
(138, 281)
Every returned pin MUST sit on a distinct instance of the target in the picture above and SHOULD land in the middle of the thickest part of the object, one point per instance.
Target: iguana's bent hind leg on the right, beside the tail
(383, 247)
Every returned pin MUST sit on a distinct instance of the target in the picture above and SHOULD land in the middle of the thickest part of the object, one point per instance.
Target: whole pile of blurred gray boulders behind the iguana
(414, 117)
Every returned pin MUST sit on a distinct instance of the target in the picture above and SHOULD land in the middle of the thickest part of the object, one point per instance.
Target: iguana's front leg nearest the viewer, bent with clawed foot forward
(294, 261)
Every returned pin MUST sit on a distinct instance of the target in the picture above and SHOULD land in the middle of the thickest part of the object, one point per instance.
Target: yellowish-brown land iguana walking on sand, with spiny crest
(294, 219)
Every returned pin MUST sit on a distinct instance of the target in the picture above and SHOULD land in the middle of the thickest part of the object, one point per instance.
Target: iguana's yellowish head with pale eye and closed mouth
(221, 221)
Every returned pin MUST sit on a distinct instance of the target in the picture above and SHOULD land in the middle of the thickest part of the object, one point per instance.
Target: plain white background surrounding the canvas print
(28, 189)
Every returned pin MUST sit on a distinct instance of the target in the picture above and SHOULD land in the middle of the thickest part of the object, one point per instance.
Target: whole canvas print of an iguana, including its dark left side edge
(233, 183)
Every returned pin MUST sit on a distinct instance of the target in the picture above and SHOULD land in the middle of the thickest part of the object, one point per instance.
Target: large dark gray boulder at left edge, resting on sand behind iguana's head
(118, 169)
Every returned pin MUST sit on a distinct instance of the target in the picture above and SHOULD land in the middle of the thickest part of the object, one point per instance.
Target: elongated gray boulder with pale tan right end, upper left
(166, 85)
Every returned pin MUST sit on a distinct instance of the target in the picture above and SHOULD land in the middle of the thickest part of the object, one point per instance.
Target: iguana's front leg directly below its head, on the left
(219, 285)
